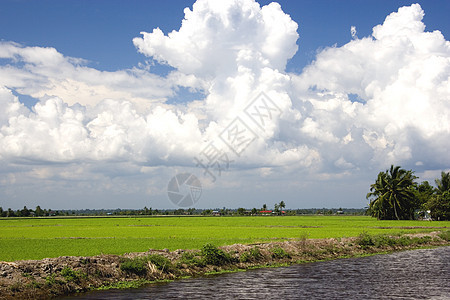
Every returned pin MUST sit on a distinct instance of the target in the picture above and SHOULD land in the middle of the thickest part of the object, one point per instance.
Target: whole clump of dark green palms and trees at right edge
(396, 195)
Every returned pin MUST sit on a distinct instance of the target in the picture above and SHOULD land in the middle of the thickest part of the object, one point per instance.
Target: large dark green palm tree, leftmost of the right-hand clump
(392, 194)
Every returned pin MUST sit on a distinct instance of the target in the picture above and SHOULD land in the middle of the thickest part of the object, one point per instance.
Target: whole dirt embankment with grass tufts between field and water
(51, 277)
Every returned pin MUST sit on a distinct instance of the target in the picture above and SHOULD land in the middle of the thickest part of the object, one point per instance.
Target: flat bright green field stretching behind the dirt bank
(37, 238)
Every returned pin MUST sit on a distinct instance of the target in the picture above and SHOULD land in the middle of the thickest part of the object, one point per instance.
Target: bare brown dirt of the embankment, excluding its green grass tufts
(42, 279)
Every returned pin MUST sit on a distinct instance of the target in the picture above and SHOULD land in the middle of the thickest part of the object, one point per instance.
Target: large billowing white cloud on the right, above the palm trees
(401, 75)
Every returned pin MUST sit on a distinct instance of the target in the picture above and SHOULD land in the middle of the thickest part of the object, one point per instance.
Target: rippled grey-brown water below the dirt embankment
(417, 274)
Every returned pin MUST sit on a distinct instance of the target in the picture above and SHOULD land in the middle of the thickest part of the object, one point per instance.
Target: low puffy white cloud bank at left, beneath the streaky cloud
(110, 131)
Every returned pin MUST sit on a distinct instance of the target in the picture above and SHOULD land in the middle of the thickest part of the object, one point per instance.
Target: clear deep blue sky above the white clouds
(101, 31)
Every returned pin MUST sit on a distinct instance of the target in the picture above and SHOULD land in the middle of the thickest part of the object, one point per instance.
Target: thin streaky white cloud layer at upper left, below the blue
(44, 72)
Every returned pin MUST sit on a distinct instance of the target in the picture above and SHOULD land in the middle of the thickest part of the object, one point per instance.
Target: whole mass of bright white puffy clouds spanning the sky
(374, 101)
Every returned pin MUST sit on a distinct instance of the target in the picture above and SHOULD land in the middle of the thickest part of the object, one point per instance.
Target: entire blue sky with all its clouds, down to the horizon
(114, 104)
